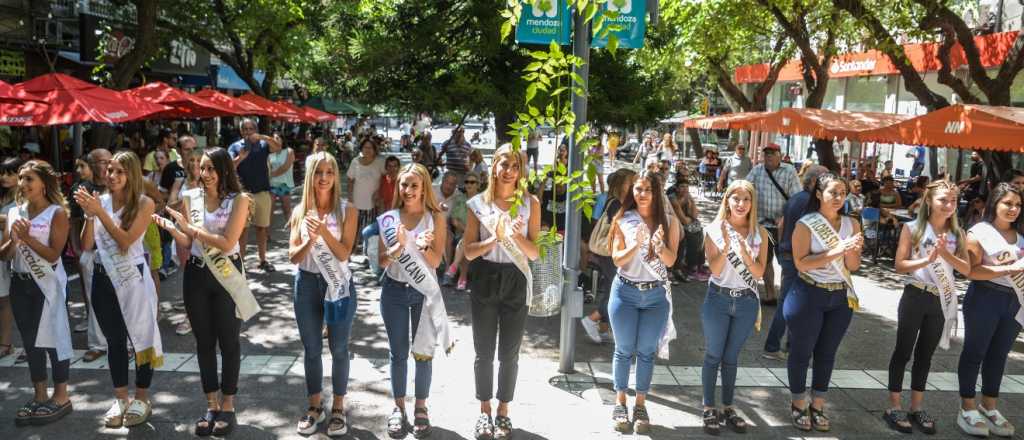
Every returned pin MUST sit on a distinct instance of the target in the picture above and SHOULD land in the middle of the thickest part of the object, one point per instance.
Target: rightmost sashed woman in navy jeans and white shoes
(993, 314)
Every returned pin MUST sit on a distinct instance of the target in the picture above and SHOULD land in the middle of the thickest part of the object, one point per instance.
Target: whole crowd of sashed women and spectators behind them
(129, 216)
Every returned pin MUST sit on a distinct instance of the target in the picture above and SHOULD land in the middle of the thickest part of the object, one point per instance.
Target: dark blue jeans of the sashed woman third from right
(818, 321)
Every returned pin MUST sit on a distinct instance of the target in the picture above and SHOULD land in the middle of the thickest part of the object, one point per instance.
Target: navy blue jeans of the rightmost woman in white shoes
(990, 332)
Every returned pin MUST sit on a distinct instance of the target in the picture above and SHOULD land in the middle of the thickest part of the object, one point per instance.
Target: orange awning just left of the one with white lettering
(821, 123)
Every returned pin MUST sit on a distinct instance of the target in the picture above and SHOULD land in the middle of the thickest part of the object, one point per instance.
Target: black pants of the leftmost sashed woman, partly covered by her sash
(27, 304)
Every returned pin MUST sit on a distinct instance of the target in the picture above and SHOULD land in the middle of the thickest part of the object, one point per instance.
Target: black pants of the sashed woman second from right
(918, 333)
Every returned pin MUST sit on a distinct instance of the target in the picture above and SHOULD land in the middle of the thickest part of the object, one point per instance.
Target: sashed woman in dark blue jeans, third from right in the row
(820, 309)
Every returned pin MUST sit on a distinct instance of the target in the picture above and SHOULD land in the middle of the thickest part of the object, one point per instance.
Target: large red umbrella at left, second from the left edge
(72, 101)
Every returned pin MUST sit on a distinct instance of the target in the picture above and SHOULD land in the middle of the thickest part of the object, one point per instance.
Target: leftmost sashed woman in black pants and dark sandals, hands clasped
(37, 233)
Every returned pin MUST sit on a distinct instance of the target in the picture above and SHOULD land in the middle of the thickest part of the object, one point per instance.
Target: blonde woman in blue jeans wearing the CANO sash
(412, 246)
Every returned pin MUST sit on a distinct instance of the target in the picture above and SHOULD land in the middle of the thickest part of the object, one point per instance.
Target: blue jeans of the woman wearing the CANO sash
(401, 307)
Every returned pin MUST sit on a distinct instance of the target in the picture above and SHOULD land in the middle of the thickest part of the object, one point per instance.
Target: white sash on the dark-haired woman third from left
(230, 278)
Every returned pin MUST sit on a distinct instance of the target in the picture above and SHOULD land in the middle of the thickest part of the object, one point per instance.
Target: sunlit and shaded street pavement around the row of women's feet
(548, 405)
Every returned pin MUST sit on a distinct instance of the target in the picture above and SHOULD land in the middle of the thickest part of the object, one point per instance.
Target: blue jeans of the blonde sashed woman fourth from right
(728, 322)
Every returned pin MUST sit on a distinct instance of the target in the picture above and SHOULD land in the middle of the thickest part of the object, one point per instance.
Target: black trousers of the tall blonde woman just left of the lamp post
(499, 313)
